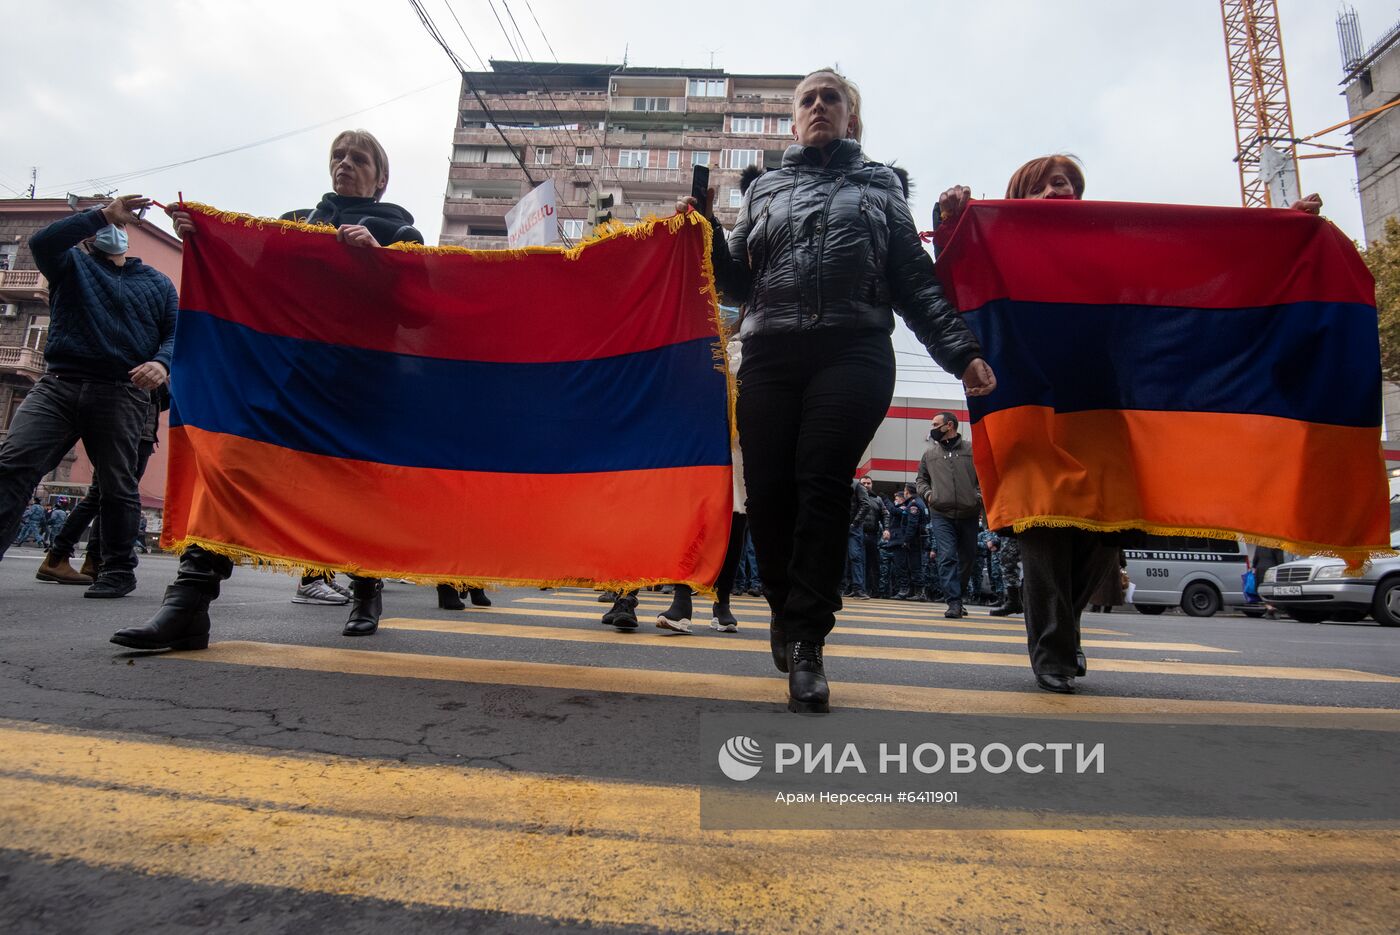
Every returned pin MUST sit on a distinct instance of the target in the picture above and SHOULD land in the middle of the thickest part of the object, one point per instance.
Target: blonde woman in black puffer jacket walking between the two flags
(824, 251)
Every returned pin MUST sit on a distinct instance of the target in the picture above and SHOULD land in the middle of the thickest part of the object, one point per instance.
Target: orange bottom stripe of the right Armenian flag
(1258, 477)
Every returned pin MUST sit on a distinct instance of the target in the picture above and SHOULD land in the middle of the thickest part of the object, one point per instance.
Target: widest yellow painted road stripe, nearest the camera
(612, 853)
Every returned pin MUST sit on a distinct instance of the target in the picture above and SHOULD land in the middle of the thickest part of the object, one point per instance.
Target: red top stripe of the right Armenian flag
(1182, 257)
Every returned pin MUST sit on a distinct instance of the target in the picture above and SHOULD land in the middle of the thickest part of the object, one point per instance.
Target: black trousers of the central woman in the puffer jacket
(810, 404)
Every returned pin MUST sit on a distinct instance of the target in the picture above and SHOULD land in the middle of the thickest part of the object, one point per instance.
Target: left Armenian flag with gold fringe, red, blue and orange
(537, 416)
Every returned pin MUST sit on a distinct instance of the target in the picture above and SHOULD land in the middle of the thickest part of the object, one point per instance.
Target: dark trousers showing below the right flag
(1062, 570)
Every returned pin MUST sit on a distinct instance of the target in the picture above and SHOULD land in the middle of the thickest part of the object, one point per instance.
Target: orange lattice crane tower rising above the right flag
(1259, 93)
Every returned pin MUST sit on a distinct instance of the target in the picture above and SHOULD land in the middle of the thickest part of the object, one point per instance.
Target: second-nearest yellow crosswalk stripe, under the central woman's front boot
(722, 688)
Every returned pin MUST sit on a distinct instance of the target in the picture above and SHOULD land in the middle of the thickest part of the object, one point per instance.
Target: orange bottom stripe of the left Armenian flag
(450, 526)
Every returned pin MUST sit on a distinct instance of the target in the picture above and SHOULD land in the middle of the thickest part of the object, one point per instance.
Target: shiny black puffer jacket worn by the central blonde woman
(835, 247)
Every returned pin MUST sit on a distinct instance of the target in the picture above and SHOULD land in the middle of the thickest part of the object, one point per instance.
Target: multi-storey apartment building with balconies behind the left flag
(632, 134)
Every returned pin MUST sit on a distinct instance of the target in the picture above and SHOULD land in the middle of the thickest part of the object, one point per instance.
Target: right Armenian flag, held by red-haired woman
(1182, 370)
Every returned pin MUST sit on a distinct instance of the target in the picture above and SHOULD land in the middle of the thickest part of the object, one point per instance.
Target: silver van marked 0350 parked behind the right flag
(1200, 576)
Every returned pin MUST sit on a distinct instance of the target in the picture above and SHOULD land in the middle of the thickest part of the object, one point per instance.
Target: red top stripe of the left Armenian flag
(537, 309)
